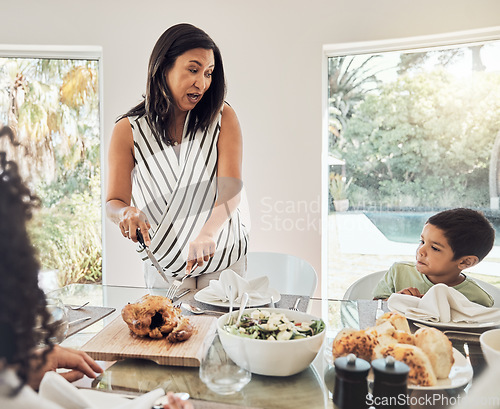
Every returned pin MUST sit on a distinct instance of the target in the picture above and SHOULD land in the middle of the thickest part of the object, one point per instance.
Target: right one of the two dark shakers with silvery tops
(390, 388)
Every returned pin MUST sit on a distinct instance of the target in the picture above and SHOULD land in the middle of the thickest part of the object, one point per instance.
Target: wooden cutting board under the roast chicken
(116, 342)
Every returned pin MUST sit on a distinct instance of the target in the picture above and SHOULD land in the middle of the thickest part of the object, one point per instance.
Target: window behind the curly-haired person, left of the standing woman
(50, 98)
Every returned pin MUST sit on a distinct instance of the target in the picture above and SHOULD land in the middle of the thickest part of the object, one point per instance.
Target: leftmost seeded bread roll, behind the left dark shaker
(351, 341)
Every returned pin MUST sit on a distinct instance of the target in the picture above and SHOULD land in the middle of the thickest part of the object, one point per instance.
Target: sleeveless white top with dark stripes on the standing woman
(176, 188)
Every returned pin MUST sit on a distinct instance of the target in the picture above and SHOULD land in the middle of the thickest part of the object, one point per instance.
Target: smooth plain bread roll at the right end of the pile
(438, 348)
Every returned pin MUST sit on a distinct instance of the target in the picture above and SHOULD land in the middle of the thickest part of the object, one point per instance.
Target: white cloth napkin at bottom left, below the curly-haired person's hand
(55, 388)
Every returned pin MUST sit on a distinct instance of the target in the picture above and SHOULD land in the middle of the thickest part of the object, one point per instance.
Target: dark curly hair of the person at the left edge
(22, 302)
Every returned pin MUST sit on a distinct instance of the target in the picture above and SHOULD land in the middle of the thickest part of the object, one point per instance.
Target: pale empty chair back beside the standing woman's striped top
(287, 274)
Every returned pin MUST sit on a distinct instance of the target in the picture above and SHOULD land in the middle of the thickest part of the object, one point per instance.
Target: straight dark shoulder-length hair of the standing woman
(158, 104)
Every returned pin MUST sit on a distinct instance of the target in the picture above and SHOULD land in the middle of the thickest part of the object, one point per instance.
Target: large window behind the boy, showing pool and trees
(413, 127)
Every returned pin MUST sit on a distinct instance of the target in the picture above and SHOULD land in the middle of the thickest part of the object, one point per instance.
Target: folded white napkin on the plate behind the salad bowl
(257, 289)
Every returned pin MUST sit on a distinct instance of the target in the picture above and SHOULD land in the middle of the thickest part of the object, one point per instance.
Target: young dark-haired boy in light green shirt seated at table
(451, 241)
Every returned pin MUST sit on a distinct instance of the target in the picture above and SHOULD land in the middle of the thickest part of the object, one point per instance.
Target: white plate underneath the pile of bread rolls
(460, 374)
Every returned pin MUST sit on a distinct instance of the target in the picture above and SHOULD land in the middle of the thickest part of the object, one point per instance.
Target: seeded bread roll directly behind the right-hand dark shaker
(421, 371)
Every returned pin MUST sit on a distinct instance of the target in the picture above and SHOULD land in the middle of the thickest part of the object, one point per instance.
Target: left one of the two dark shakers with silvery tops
(351, 387)
